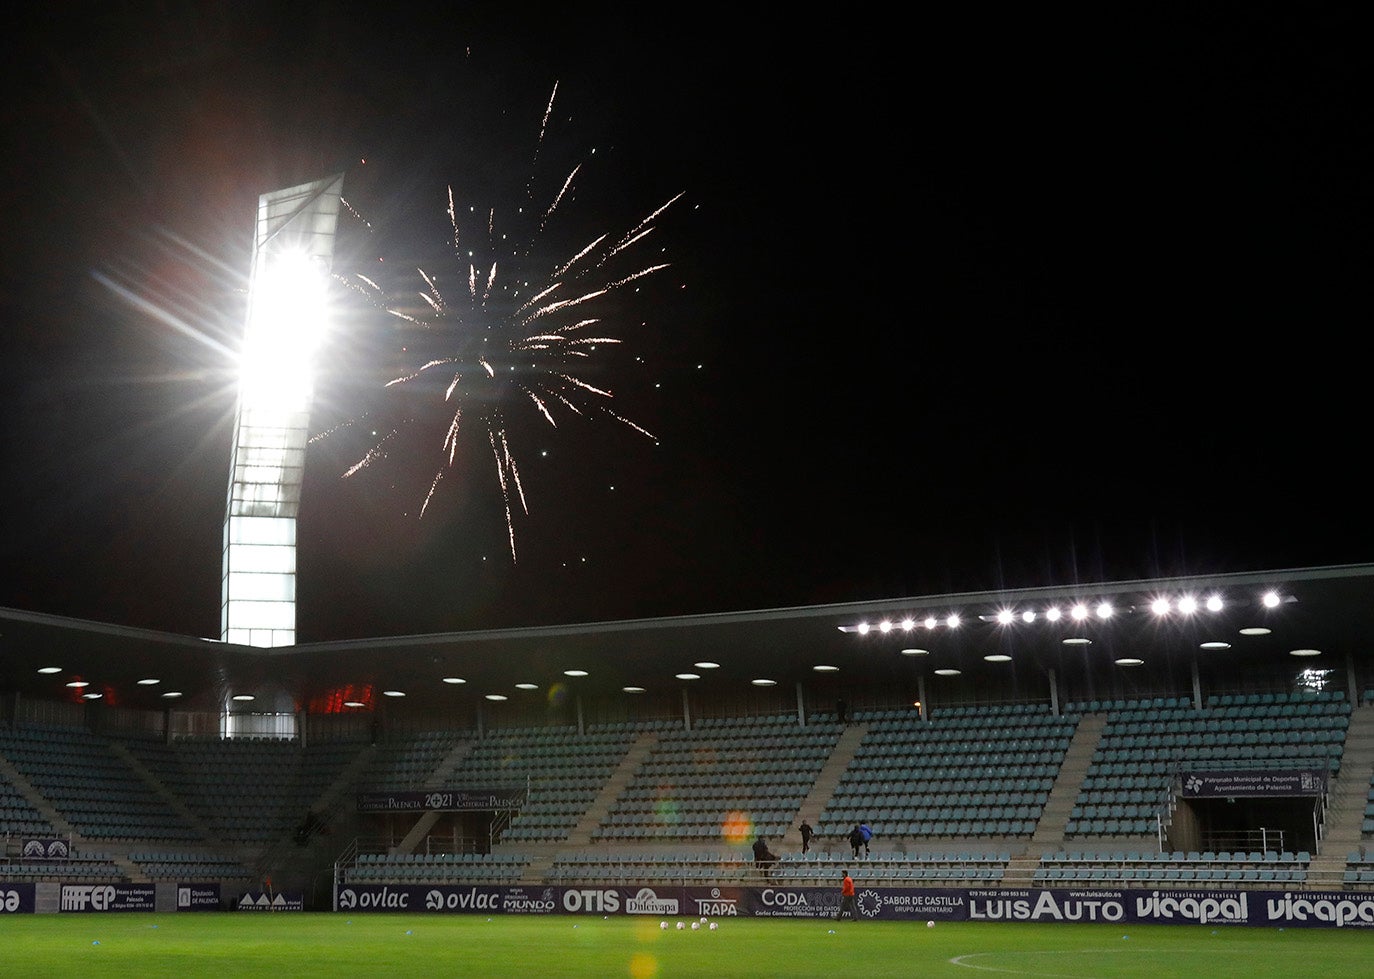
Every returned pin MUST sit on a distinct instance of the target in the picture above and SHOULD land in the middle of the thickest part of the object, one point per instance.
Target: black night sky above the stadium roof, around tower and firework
(954, 306)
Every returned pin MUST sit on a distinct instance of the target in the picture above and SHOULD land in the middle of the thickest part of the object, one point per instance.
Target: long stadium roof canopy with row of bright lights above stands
(1327, 612)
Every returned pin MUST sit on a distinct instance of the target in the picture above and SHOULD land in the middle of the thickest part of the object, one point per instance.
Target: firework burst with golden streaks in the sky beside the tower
(508, 330)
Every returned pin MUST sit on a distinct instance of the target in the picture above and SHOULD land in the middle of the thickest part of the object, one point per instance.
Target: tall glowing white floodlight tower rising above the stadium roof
(293, 249)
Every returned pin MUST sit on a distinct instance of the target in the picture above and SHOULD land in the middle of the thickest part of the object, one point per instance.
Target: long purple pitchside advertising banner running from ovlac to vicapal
(1324, 910)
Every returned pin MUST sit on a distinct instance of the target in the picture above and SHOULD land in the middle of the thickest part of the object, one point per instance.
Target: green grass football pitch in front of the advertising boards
(292, 945)
